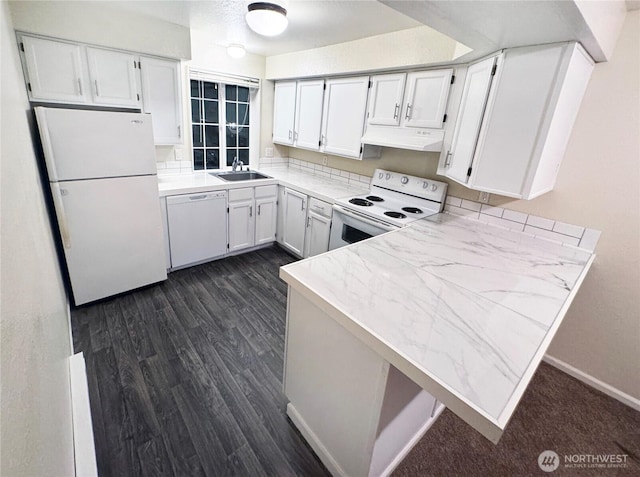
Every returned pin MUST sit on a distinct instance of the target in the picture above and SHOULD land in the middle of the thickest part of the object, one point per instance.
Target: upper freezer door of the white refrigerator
(80, 144)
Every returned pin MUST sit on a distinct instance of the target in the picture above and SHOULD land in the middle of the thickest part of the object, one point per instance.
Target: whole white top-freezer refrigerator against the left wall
(102, 171)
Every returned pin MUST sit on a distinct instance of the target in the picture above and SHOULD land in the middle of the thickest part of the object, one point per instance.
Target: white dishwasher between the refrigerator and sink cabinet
(197, 227)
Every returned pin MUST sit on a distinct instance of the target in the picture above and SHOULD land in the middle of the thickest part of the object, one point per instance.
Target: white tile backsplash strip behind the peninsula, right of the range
(549, 229)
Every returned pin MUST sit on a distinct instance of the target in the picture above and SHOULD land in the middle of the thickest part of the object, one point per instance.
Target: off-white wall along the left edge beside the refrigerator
(35, 423)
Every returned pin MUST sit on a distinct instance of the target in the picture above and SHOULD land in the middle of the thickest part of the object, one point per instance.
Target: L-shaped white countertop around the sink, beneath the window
(310, 184)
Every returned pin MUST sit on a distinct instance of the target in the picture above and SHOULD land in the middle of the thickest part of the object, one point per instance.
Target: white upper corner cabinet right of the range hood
(515, 118)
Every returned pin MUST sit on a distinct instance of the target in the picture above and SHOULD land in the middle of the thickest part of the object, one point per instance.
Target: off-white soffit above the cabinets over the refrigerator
(90, 22)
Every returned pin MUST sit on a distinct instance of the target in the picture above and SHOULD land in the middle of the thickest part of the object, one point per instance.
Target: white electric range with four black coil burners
(394, 201)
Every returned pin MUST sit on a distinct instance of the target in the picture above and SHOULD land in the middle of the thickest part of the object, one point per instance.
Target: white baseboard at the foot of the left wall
(83, 444)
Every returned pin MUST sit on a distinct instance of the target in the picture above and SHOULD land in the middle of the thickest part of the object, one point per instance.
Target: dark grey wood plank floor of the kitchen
(185, 378)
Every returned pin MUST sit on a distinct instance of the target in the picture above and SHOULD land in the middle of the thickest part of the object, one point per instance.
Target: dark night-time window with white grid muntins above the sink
(220, 124)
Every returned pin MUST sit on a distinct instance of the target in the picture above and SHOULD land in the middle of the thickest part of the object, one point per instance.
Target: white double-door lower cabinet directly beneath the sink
(252, 216)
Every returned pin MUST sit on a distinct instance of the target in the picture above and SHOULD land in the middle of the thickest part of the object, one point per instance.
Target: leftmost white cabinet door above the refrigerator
(55, 70)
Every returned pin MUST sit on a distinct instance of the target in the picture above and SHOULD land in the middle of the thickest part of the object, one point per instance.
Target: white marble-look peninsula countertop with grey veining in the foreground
(464, 308)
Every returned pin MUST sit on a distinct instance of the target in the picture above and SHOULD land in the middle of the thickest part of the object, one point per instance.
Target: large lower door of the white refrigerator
(111, 231)
